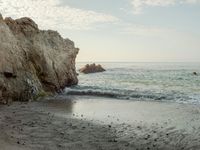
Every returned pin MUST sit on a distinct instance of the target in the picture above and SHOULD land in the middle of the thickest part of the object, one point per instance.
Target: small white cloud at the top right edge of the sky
(138, 5)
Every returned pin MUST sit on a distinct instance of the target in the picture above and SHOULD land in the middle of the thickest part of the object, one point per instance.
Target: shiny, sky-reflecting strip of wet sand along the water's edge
(109, 111)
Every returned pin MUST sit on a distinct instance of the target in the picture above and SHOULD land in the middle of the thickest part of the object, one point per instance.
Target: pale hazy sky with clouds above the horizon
(119, 30)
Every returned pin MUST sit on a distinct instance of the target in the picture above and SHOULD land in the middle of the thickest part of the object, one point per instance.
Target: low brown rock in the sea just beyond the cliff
(92, 68)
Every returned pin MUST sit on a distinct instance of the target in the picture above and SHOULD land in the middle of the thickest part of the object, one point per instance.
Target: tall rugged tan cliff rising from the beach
(32, 60)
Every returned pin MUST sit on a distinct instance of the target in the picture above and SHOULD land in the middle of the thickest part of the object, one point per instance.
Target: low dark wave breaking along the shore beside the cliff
(123, 94)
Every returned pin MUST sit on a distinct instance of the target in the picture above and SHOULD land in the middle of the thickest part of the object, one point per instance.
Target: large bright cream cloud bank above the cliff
(52, 14)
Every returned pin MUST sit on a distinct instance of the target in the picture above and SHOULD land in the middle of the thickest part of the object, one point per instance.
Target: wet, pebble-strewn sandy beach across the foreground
(90, 123)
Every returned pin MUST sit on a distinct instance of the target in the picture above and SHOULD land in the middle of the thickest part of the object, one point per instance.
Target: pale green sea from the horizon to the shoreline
(174, 82)
